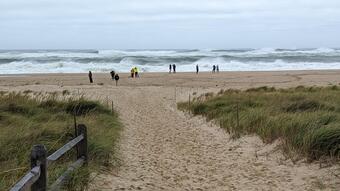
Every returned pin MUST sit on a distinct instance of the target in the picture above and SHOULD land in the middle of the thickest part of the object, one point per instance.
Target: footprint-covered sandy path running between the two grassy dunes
(164, 149)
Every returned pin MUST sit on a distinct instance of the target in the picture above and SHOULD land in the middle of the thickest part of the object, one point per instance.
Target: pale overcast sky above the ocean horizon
(151, 24)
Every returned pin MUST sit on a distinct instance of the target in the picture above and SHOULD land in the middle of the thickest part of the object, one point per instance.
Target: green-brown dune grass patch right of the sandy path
(305, 119)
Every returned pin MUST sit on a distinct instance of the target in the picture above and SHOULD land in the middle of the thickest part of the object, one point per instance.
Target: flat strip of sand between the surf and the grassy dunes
(222, 80)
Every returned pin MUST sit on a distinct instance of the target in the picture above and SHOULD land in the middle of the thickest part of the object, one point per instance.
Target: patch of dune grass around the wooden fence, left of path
(26, 120)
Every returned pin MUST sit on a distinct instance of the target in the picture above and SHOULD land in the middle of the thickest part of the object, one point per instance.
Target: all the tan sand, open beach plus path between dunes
(162, 148)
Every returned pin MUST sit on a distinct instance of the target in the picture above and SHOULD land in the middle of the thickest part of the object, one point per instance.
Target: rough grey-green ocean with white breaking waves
(81, 61)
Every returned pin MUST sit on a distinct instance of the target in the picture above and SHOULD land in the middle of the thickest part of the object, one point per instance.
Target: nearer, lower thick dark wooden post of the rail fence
(38, 158)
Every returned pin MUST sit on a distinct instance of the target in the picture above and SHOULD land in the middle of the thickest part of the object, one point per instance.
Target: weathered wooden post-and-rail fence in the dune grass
(36, 178)
